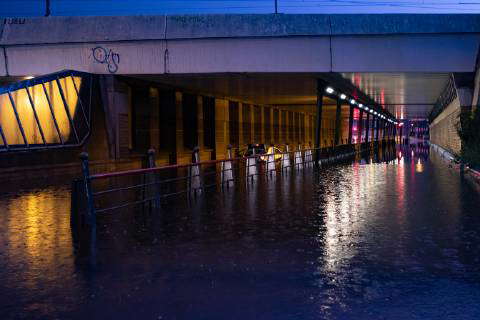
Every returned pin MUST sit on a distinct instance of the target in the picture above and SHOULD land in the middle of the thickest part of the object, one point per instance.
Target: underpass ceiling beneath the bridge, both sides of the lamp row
(405, 95)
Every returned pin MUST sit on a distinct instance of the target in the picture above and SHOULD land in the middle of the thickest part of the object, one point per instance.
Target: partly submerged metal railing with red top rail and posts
(99, 193)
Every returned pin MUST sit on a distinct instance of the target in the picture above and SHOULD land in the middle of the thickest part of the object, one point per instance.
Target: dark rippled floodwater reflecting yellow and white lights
(361, 240)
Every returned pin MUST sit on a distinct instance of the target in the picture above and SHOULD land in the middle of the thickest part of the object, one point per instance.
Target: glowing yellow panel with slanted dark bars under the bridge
(37, 107)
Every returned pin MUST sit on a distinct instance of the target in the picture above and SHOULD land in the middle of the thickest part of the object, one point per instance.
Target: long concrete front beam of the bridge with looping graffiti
(240, 43)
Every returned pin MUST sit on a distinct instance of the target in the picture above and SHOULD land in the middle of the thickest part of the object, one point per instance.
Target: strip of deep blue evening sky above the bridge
(12, 8)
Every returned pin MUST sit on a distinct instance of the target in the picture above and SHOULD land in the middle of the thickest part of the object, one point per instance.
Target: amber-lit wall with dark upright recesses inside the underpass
(118, 101)
